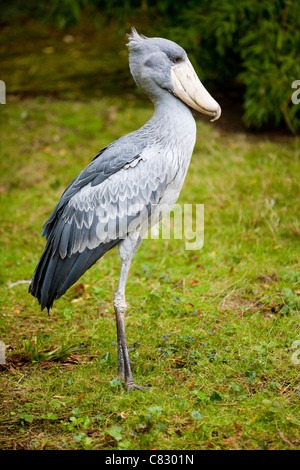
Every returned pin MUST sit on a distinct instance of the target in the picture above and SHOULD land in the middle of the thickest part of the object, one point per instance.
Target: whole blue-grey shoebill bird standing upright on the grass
(130, 185)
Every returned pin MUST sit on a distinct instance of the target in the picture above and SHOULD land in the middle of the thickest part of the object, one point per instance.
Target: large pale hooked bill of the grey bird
(190, 90)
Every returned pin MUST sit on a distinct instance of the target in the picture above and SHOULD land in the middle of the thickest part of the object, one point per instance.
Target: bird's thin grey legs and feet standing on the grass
(120, 306)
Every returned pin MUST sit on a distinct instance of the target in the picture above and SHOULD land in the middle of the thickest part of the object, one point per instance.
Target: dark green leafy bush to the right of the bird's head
(255, 43)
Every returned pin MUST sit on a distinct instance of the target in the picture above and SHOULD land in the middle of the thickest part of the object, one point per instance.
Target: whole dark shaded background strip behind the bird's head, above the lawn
(246, 53)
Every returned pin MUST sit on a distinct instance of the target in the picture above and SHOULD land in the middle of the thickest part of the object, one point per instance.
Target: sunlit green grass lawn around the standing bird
(212, 331)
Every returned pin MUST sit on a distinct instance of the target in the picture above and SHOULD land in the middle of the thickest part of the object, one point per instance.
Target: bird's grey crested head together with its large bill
(157, 63)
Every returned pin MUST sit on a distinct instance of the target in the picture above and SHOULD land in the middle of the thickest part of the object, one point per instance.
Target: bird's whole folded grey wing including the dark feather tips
(113, 196)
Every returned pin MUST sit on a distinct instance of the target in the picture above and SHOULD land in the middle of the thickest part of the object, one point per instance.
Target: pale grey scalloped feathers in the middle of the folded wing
(114, 204)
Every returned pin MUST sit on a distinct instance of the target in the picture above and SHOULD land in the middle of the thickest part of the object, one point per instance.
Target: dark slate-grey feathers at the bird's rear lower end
(54, 275)
